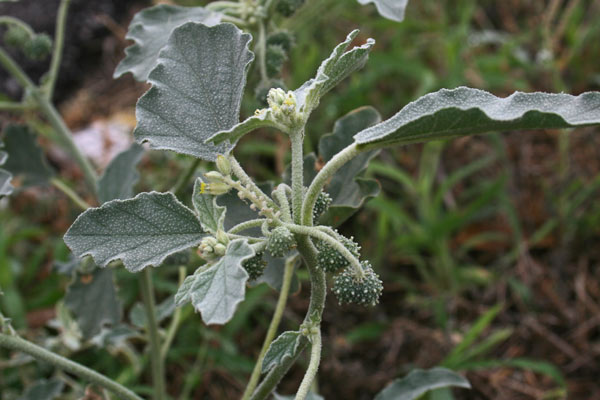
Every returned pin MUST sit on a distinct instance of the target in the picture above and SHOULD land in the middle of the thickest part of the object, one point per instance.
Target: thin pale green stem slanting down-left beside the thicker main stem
(281, 301)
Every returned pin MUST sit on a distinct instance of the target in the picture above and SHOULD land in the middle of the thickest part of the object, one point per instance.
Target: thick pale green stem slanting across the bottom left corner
(39, 353)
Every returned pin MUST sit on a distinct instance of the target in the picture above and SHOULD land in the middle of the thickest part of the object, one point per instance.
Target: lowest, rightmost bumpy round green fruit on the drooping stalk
(348, 289)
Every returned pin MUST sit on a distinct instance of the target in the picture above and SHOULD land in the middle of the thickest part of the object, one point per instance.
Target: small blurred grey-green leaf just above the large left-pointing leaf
(120, 175)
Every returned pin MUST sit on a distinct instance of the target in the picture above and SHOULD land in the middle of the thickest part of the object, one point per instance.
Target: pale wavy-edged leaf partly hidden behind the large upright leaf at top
(150, 29)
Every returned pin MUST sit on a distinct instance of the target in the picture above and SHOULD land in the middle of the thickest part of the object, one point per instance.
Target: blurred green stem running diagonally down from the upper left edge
(53, 117)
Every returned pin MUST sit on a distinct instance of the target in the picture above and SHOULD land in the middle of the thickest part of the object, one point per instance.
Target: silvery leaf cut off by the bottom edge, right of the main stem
(419, 382)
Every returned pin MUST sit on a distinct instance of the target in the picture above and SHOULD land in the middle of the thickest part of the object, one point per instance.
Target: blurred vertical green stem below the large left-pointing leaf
(158, 375)
